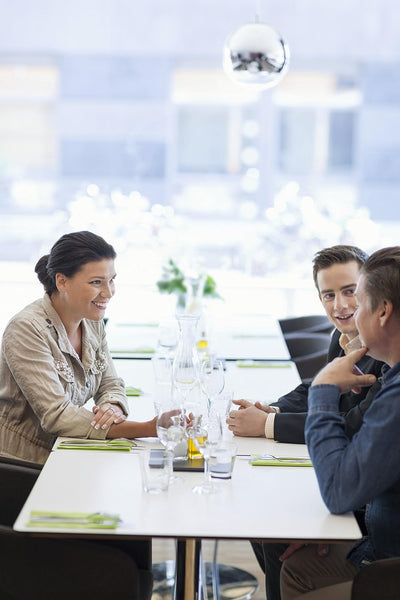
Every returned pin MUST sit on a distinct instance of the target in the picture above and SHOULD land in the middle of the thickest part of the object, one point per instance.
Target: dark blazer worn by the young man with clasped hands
(289, 423)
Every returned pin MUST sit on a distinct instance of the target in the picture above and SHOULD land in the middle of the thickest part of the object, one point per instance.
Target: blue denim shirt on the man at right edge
(363, 471)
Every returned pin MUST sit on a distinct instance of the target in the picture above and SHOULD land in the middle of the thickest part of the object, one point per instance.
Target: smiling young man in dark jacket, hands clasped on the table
(335, 272)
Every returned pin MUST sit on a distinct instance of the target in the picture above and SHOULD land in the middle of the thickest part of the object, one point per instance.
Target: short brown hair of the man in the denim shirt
(382, 277)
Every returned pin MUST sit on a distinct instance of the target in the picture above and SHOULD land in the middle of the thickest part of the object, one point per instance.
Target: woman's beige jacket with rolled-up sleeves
(44, 385)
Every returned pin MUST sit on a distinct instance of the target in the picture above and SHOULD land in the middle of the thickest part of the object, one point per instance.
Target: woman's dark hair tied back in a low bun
(69, 254)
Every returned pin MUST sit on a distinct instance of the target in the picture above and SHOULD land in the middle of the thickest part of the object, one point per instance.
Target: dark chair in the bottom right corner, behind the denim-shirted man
(380, 579)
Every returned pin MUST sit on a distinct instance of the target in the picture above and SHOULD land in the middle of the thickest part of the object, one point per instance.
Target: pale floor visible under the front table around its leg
(237, 554)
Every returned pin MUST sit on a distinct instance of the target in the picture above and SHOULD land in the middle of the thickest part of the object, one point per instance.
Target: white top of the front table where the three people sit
(271, 503)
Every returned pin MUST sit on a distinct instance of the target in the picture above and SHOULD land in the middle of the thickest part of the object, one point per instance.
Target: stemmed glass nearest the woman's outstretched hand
(171, 432)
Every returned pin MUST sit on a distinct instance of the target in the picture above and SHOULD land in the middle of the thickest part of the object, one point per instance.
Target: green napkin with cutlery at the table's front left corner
(73, 520)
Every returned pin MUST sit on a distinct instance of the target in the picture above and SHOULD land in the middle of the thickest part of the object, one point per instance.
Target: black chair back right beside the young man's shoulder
(309, 351)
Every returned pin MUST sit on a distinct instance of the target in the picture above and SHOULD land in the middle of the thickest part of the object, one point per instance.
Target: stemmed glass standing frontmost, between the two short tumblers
(206, 439)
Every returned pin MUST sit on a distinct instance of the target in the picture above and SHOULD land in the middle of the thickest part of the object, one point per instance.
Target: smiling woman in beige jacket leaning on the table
(54, 356)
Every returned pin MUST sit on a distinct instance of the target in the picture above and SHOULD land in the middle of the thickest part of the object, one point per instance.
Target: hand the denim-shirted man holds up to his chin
(342, 372)
